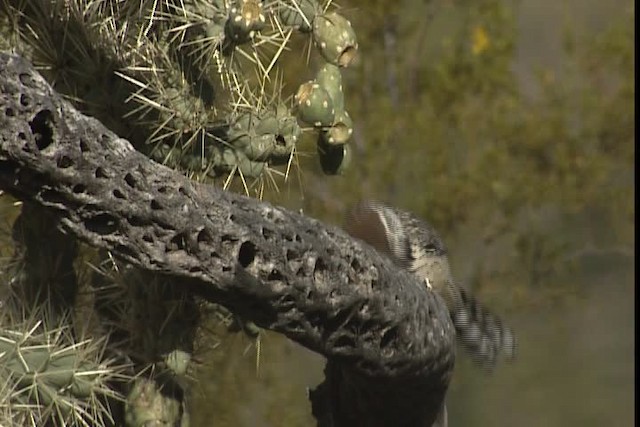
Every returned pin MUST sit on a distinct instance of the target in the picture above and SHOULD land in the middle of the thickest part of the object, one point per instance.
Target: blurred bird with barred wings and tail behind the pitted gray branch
(415, 245)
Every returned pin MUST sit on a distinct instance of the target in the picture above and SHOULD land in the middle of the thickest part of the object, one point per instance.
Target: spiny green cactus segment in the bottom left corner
(52, 377)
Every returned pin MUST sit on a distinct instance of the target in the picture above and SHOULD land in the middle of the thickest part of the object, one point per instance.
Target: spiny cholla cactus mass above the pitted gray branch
(179, 78)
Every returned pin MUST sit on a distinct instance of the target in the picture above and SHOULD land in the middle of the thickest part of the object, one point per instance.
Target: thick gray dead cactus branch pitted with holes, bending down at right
(388, 340)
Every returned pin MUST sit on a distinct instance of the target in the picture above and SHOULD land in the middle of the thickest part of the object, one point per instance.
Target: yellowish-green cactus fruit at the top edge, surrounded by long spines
(245, 18)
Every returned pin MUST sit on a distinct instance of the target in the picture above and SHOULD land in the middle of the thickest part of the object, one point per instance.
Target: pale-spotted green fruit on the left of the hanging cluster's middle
(314, 105)
